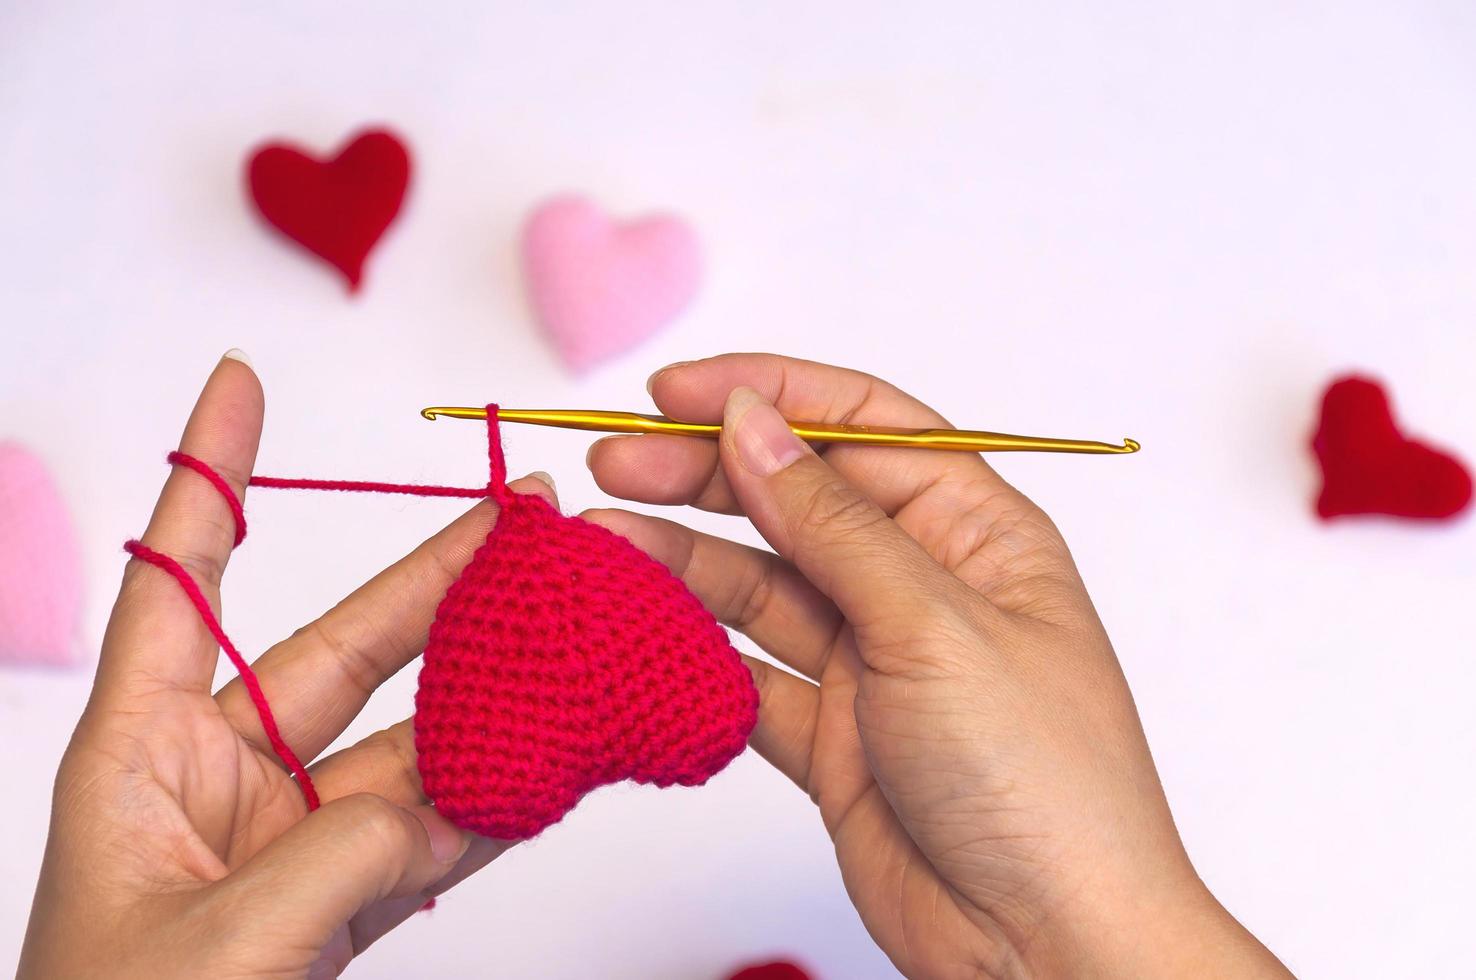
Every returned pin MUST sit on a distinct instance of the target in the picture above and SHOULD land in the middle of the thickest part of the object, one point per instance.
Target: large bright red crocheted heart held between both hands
(562, 660)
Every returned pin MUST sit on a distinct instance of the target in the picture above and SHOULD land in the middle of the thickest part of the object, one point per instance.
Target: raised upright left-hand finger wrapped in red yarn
(156, 637)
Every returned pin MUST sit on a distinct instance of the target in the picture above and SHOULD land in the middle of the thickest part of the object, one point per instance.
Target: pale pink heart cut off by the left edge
(41, 572)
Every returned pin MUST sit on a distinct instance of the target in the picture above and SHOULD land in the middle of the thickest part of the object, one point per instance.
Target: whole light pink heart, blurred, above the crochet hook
(600, 287)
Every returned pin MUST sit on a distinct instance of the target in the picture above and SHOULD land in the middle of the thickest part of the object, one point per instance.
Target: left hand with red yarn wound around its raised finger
(179, 845)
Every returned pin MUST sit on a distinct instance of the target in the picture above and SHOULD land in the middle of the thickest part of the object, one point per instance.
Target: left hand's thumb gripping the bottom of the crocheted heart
(354, 852)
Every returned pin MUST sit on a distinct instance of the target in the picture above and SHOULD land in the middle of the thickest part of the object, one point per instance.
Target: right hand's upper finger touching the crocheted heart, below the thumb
(749, 590)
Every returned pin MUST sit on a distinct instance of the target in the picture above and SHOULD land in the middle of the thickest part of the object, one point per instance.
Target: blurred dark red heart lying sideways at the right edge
(1369, 467)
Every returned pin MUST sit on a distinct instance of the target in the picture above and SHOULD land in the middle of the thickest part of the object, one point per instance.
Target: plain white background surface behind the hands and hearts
(1174, 222)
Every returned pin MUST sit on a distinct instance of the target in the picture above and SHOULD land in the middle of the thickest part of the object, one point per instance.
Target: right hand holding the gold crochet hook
(957, 711)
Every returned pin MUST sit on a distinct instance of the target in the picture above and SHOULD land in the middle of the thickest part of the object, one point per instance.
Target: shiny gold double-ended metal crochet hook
(965, 441)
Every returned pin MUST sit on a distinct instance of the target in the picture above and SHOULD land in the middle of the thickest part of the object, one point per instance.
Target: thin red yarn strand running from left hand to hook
(497, 488)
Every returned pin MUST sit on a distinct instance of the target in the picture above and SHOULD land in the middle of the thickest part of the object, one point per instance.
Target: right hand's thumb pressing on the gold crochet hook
(880, 578)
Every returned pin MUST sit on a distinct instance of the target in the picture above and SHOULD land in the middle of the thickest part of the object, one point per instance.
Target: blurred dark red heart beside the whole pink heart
(339, 209)
